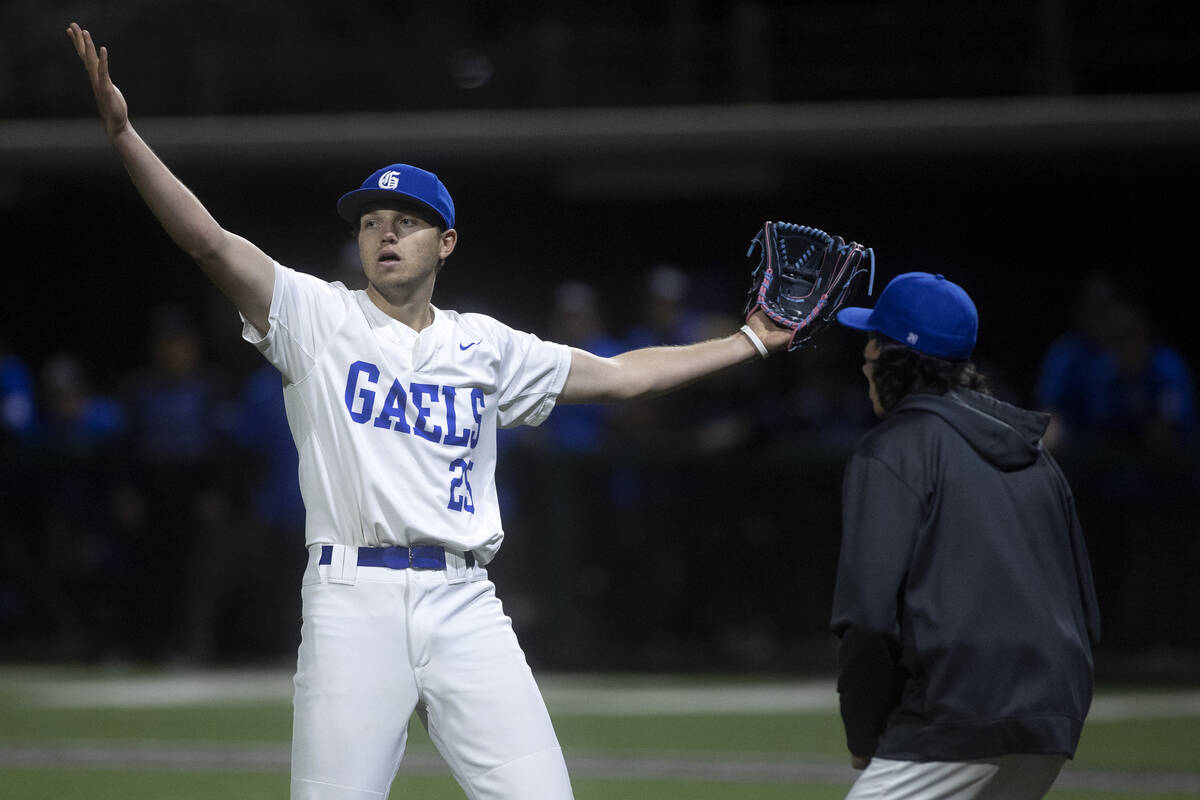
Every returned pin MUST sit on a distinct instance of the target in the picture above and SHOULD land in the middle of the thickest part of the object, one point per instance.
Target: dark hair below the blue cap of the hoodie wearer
(901, 371)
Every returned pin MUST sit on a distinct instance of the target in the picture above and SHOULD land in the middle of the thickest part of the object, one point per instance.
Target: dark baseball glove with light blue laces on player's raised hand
(805, 276)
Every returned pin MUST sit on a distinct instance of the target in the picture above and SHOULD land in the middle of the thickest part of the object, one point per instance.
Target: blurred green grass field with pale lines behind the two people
(71, 732)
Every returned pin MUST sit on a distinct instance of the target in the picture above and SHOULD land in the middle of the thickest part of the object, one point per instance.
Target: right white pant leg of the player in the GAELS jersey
(485, 713)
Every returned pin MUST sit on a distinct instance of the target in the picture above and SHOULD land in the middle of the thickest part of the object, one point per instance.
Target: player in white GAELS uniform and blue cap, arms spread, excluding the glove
(394, 405)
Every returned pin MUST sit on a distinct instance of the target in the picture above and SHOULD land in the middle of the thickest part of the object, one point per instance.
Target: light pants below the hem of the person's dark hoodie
(1017, 777)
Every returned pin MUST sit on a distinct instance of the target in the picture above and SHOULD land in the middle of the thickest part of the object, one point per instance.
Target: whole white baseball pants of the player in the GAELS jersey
(379, 645)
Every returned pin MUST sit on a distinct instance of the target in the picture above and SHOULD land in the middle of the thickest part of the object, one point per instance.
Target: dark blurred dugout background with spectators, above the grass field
(610, 165)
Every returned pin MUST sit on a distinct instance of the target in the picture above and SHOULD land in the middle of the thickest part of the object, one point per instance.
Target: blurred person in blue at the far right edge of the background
(1143, 414)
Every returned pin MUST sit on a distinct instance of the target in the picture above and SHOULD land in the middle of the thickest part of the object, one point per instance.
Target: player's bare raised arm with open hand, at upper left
(243, 272)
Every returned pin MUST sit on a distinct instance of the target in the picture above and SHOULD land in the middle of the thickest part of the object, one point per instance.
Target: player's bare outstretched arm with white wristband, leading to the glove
(655, 371)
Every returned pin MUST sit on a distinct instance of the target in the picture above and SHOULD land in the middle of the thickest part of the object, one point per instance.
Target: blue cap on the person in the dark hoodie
(925, 311)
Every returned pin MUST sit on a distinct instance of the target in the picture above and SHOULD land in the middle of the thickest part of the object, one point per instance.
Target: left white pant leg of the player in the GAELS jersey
(355, 691)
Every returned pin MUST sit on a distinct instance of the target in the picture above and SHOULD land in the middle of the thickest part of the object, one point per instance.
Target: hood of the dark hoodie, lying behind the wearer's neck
(1007, 436)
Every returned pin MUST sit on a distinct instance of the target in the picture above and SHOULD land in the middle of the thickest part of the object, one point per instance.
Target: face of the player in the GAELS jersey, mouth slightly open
(401, 249)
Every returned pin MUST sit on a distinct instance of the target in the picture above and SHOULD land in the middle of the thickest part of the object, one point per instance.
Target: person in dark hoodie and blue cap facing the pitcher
(964, 598)
